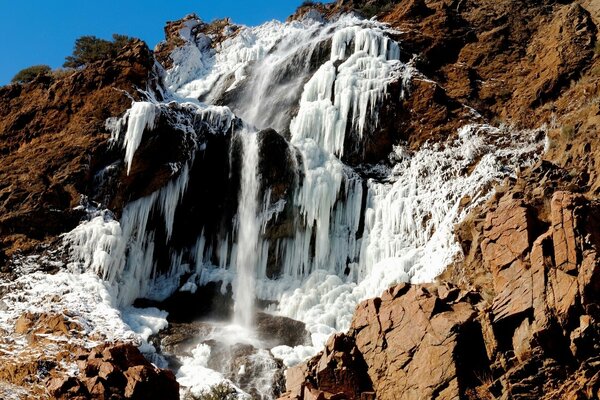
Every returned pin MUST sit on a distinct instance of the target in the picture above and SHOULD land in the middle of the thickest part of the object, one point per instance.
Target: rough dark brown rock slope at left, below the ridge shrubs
(53, 140)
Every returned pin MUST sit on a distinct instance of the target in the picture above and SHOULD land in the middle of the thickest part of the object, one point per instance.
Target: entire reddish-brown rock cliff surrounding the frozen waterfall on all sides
(516, 318)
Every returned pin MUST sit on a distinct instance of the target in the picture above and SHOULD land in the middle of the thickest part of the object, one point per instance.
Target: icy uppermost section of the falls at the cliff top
(271, 63)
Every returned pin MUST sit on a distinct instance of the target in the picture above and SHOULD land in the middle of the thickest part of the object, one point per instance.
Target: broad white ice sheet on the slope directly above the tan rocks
(409, 222)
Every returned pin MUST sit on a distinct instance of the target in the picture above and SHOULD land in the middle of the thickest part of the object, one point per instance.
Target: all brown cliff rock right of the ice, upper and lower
(517, 317)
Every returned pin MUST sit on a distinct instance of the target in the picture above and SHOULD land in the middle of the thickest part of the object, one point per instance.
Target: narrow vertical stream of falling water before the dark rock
(249, 227)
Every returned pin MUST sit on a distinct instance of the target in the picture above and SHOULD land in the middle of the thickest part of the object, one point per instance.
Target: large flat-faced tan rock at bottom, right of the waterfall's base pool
(409, 343)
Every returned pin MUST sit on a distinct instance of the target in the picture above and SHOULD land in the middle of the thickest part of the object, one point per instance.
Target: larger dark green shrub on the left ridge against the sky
(89, 49)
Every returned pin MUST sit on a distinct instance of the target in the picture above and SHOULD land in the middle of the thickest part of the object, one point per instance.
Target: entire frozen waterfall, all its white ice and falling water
(355, 232)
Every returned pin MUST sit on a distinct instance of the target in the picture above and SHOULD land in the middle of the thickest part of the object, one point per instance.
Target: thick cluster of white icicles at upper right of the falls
(349, 93)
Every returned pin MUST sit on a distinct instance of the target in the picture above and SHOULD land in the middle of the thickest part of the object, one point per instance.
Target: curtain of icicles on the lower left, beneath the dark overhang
(122, 251)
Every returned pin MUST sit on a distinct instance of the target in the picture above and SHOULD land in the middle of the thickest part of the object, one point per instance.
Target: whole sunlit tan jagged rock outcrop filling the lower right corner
(527, 331)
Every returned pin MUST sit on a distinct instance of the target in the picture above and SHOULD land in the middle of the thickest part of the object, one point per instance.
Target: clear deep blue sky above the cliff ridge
(43, 32)
